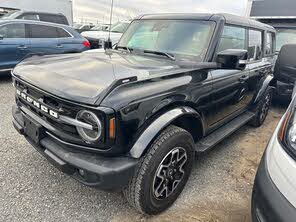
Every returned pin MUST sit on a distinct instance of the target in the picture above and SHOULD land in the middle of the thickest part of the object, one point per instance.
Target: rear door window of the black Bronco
(255, 48)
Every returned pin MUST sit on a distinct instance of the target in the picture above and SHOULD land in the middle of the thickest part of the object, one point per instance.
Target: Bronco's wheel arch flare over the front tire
(184, 117)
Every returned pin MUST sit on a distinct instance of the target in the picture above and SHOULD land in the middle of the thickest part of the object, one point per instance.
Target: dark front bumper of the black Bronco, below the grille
(91, 169)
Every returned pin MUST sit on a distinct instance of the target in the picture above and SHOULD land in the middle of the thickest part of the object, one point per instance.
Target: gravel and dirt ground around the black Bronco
(219, 188)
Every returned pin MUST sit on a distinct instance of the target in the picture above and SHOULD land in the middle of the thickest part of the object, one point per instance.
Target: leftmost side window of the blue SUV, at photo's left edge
(13, 31)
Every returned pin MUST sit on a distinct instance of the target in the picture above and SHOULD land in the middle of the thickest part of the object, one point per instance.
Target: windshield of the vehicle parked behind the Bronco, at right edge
(285, 36)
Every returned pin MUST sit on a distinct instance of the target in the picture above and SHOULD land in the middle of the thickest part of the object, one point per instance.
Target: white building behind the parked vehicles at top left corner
(53, 6)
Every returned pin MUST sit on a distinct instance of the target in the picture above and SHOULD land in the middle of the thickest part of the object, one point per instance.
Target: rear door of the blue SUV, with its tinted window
(43, 39)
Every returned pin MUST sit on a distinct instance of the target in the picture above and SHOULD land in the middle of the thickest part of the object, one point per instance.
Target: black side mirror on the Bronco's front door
(233, 59)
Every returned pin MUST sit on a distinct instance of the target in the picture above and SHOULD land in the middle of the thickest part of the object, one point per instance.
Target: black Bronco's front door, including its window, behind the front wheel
(230, 90)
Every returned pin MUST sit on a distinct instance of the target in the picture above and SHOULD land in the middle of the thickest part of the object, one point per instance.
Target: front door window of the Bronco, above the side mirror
(233, 38)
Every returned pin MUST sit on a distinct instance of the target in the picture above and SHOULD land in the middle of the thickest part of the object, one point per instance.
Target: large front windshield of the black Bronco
(182, 39)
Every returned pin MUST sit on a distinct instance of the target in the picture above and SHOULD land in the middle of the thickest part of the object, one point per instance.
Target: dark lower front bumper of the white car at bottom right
(268, 203)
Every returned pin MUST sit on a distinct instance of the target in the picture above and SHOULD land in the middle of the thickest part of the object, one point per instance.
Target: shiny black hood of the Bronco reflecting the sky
(88, 77)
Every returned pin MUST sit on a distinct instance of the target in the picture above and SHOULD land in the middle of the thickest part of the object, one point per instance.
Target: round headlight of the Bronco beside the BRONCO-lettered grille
(89, 135)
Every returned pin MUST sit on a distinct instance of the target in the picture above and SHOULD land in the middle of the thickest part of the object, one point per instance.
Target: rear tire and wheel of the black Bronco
(262, 109)
